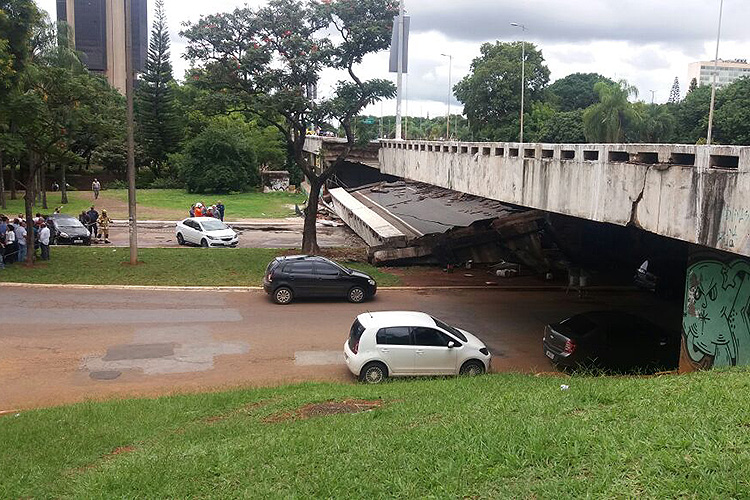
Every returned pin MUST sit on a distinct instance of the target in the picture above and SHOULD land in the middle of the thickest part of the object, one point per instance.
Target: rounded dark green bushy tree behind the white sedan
(219, 160)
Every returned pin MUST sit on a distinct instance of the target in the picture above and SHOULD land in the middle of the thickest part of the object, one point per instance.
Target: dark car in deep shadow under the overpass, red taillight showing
(611, 341)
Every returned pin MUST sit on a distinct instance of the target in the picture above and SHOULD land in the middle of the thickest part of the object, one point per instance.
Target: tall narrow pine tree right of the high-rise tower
(159, 124)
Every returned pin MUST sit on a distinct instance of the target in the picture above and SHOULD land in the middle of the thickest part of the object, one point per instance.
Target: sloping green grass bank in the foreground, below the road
(498, 436)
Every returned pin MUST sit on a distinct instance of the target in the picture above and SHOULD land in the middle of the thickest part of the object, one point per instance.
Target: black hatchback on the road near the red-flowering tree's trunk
(288, 278)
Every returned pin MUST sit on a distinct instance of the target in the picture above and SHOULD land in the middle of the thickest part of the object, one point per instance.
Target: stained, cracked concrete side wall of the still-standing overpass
(697, 194)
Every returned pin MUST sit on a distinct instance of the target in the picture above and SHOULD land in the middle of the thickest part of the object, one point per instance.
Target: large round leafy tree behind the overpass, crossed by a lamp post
(491, 92)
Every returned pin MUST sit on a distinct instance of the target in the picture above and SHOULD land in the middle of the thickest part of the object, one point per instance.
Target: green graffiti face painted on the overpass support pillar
(716, 320)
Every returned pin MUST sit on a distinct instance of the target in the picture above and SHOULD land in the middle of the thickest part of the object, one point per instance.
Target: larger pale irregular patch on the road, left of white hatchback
(158, 351)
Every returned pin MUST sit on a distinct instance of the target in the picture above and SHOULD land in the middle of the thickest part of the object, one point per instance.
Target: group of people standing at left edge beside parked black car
(13, 238)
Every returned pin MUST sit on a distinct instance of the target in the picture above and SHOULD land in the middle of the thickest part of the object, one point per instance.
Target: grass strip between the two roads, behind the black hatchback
(161, 266)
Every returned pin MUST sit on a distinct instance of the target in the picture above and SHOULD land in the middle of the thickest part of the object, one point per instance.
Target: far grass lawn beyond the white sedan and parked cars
(170, 204)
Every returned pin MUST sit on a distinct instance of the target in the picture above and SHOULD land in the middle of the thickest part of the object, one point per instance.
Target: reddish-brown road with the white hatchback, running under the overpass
(61, 346)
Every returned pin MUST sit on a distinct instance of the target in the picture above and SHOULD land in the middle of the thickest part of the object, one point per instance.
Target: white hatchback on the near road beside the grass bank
(402, 344)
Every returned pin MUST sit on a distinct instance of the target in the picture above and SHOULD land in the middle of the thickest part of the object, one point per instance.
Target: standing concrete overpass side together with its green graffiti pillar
(697, 194)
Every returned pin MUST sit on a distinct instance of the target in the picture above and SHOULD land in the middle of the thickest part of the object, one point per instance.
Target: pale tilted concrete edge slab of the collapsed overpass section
(368, 225)
